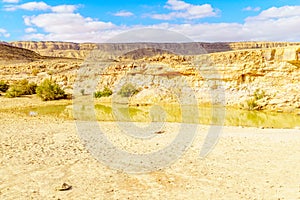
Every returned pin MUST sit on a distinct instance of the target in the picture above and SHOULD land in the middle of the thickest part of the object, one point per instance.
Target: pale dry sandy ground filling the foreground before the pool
(39, 154)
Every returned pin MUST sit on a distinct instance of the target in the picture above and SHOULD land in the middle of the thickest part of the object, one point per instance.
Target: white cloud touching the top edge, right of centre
(185, 10)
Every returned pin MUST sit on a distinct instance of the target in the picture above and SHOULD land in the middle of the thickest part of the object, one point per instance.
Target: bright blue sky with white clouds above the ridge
(199, 20)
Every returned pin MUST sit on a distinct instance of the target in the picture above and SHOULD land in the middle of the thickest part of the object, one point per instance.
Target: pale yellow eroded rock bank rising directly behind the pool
(269, 77)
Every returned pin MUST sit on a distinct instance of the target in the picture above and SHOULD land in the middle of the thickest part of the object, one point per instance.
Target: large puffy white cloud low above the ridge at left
(68, 27)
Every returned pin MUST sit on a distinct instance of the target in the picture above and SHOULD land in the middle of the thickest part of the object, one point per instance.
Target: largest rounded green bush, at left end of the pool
(48, 90)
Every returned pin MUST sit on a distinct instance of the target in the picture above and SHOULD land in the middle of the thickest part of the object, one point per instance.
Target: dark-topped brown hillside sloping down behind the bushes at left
(18, 63)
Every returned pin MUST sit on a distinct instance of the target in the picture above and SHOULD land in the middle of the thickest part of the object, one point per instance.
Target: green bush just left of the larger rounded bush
(20, 88)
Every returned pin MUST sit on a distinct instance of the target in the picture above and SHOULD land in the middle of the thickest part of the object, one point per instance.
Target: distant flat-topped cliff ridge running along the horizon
(82, 50)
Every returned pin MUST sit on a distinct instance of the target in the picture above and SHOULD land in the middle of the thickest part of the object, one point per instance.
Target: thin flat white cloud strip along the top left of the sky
(42, 6)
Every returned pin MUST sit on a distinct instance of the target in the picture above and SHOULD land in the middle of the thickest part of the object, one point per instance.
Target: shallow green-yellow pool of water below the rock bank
(175, 113)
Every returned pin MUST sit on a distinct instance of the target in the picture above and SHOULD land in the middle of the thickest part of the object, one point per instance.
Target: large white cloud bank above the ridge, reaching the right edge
(274, 24)
